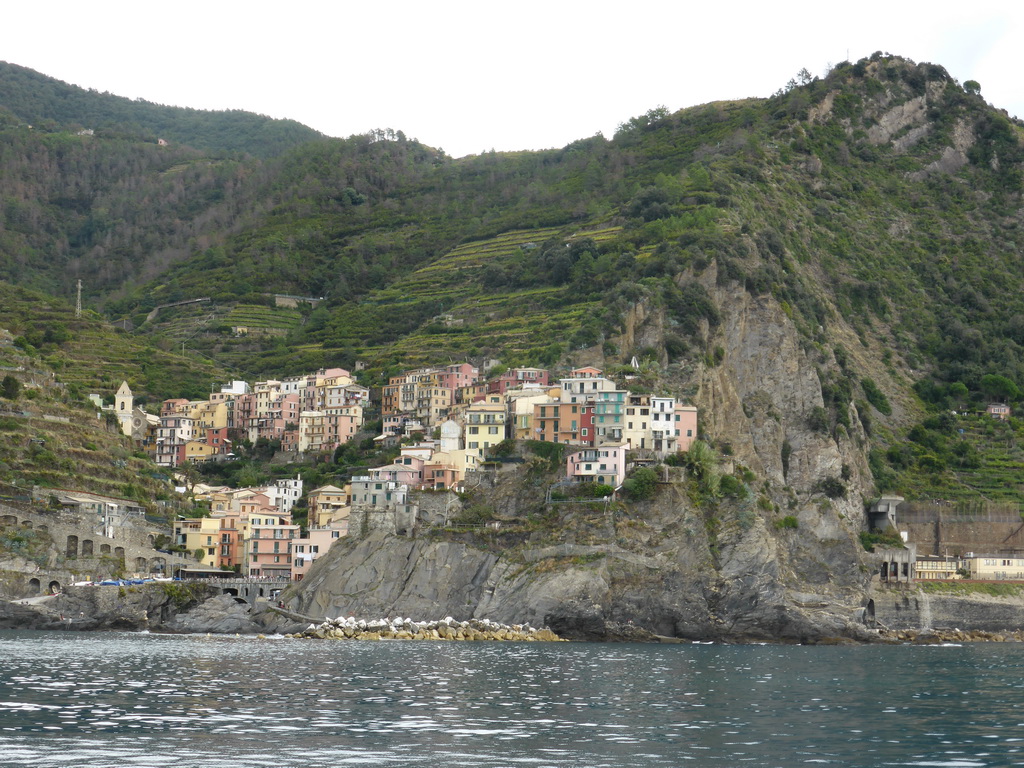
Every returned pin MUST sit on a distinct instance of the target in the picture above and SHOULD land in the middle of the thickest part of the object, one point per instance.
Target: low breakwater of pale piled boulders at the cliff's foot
(407, 629)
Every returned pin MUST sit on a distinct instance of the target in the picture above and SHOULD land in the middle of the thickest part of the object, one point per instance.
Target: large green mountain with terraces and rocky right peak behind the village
(876, 214)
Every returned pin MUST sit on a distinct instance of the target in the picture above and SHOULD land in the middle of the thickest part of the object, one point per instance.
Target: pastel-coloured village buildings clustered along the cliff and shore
(447, 423)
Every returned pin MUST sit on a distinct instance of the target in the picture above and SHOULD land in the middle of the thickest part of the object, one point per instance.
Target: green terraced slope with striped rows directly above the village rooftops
(449, 310)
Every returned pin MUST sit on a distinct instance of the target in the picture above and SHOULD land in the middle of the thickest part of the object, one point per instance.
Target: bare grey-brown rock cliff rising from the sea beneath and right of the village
(782, 562)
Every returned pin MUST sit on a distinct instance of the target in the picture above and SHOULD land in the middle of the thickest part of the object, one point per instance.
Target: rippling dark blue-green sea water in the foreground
(130, 700)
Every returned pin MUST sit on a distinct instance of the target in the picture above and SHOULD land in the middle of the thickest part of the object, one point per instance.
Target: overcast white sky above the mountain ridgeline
(468, 77)
